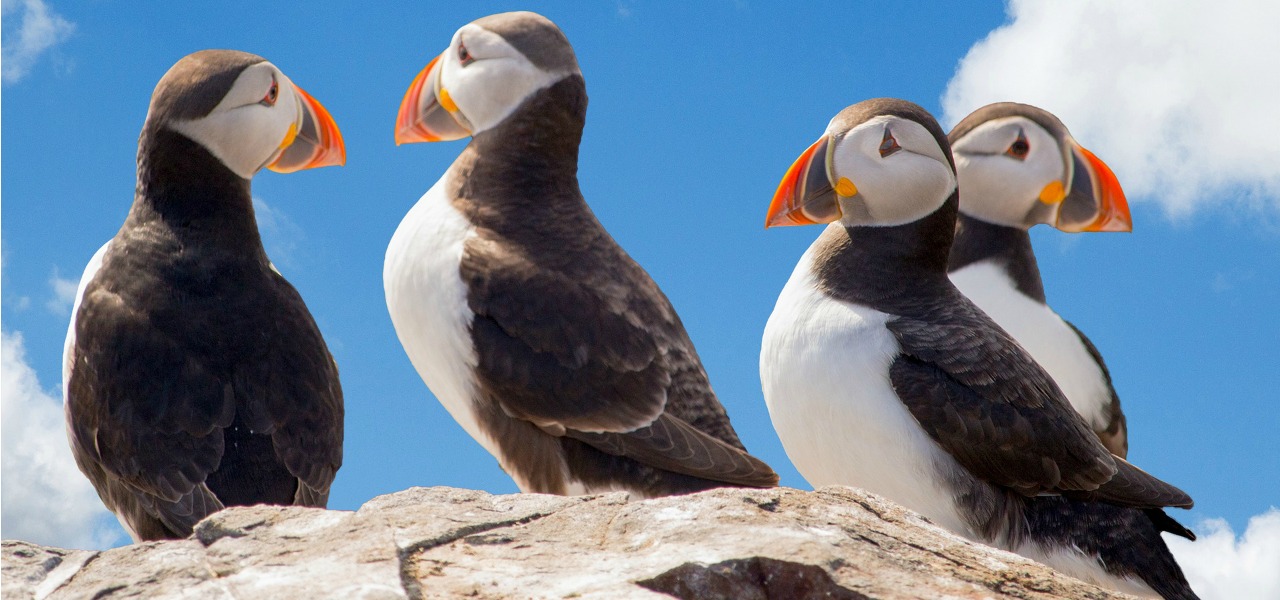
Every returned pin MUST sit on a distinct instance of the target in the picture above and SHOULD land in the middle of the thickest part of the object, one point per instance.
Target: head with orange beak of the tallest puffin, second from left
(491, 67)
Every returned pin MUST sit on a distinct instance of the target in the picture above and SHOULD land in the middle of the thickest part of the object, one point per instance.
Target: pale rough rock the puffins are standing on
(836, 543)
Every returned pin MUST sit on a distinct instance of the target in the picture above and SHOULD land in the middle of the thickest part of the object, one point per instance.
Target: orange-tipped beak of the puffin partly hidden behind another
(1096, 201)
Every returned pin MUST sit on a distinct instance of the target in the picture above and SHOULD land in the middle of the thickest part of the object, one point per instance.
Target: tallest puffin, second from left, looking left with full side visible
(537, 332)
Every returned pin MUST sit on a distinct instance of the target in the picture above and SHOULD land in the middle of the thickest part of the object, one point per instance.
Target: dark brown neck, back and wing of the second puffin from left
(579, 349)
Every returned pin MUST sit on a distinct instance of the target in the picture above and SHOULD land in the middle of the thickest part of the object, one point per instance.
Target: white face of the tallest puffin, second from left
(493, 80)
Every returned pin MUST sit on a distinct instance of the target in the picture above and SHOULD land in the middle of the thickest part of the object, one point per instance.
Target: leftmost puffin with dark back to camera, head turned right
(194, 375)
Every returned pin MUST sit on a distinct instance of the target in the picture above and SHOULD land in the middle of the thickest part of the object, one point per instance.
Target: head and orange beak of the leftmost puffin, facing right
(246, 113)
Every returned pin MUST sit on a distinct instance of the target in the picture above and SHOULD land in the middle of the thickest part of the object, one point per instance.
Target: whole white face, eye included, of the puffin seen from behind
(248, 129)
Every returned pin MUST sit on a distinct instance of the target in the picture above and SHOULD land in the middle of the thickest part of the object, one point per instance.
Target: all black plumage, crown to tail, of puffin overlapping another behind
(1028, 471)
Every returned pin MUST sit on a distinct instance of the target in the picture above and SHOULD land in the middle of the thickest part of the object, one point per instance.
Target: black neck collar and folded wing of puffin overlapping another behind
(970, 384)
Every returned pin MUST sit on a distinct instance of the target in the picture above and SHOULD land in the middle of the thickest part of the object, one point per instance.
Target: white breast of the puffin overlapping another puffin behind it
(825, 370)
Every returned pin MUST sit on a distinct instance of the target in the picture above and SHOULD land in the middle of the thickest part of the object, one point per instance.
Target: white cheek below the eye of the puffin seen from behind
(245, 138)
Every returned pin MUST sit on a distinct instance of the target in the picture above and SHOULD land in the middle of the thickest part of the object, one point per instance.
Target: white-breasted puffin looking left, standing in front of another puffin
(880, 374)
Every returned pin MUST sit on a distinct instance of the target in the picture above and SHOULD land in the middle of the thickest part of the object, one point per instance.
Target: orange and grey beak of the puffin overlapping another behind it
(807, 196)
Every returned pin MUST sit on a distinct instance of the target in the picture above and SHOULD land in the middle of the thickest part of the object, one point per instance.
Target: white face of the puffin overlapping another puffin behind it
(898, 187)
